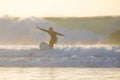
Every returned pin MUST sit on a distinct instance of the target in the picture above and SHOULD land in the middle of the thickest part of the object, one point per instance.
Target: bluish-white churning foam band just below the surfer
(61, 56)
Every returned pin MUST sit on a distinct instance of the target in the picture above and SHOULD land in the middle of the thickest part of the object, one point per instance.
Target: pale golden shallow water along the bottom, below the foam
(37, 73)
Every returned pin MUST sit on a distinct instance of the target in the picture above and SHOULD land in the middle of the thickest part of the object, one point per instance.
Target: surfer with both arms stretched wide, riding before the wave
(53, 35)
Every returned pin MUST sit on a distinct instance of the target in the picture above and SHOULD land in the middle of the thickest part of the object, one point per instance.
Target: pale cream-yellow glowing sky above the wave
(59, 8)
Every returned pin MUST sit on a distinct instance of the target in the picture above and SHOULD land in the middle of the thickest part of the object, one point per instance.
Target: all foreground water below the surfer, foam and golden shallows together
(68, 62)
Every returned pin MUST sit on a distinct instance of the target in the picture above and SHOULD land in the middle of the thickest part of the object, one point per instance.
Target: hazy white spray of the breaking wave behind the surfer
(23, 31)
